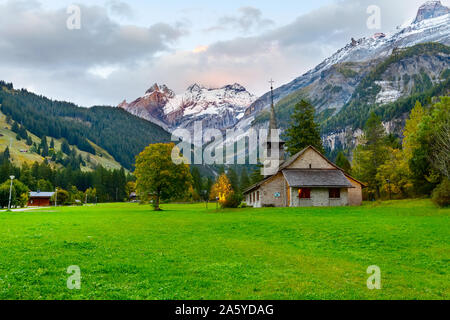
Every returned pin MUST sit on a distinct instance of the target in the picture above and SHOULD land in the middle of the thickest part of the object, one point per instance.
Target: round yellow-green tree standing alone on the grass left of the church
(161, 174)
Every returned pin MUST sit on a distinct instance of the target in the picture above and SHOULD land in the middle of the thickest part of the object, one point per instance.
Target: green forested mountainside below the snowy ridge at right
(419, 86)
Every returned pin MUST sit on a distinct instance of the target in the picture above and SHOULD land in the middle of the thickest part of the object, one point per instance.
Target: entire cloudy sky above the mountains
(123, 47)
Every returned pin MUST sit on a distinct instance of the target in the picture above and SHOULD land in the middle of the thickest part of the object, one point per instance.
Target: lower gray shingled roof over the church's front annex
(315, 178)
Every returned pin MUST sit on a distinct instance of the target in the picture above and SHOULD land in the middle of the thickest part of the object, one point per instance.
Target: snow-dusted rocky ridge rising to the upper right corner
(432, 24)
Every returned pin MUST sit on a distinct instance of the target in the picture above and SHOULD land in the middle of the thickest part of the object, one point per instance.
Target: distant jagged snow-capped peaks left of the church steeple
(218, 108)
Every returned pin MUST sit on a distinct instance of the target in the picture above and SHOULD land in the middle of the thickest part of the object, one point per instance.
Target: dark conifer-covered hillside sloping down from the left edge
(118, 132)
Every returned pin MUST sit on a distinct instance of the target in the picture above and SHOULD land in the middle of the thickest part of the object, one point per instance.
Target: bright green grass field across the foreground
(126, 251)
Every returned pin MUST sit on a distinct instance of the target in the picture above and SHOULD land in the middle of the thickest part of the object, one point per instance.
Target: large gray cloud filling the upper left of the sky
(39, 38)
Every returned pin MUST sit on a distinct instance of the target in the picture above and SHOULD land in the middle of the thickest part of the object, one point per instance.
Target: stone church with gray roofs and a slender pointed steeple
(307, 179)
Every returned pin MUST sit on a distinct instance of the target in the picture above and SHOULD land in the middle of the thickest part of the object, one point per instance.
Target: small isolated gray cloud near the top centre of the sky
(248, 19)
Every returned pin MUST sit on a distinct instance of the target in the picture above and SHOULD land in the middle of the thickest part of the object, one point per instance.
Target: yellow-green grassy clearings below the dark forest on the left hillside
(106, 160)
